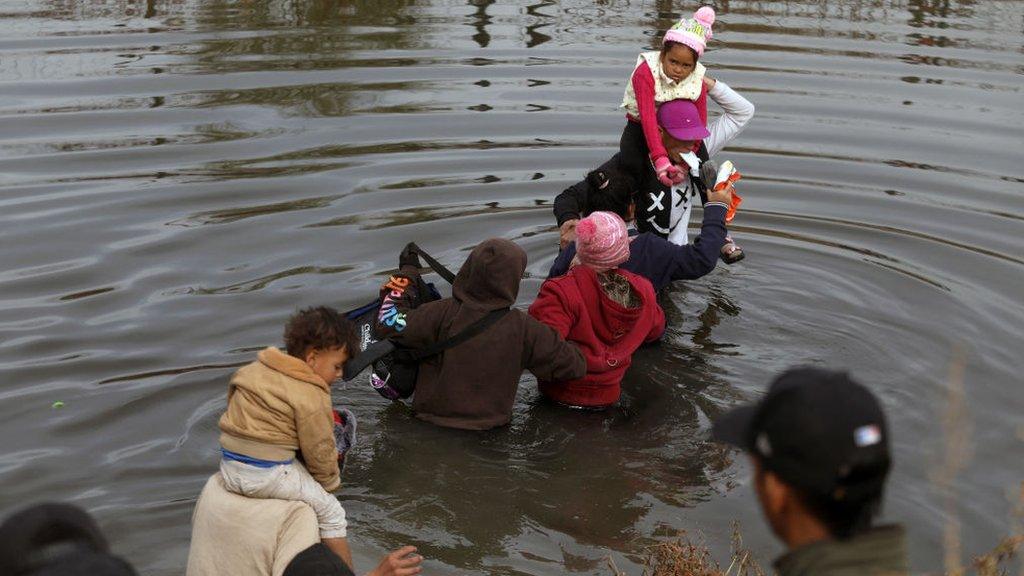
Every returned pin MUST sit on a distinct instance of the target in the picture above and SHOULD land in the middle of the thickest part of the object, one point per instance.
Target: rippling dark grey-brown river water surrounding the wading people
(177, 178)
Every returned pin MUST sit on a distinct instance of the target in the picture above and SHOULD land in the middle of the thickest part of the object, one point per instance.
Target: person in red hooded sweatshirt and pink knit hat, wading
(608, 312)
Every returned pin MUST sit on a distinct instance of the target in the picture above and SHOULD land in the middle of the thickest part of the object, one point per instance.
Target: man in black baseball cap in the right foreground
(820, 446)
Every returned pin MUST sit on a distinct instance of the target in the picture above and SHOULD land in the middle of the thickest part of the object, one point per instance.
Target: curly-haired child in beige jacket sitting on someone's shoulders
(280, 406)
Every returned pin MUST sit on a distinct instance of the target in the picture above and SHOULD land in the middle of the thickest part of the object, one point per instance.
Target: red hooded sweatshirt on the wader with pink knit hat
(607, 333)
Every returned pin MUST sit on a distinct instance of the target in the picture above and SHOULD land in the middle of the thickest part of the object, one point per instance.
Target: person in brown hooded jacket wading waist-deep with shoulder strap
(473, 386)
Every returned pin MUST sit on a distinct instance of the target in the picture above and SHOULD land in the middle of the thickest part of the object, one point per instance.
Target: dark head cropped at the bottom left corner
(57, 541)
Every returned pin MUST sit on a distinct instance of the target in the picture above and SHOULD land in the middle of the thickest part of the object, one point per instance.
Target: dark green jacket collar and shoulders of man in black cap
(878, 552)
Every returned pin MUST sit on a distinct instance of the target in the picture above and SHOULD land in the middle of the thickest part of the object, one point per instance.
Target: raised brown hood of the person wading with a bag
(490, 278)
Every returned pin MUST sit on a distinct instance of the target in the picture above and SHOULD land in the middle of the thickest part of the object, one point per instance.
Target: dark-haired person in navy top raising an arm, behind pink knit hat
(651, 256)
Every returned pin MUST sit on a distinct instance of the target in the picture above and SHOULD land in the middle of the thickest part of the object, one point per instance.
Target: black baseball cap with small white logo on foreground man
(820, 431)
